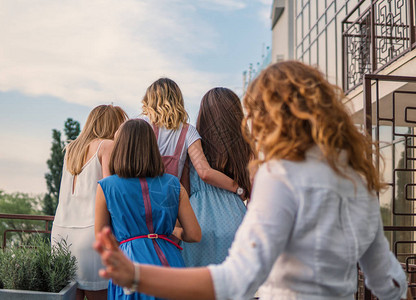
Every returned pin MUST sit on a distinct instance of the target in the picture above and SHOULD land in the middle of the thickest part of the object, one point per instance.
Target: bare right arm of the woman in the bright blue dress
(190, 231)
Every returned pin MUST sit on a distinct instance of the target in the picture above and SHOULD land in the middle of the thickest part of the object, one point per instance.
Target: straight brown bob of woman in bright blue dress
(135, 152)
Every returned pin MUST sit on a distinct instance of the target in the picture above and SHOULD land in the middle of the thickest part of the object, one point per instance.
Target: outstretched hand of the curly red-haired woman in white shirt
(118, 267)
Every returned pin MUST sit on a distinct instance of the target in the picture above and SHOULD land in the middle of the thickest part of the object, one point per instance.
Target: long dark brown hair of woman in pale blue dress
(219, 124)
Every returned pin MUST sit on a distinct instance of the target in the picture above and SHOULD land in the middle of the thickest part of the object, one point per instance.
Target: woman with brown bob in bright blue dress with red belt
(141, 203)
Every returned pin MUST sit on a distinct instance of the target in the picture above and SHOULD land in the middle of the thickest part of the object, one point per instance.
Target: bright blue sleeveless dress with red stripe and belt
(126, 206)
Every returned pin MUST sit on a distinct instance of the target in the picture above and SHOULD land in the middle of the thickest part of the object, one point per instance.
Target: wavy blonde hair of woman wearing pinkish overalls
(163, 104)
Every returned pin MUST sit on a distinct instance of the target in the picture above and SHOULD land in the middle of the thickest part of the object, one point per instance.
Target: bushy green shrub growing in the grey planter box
(37, 267)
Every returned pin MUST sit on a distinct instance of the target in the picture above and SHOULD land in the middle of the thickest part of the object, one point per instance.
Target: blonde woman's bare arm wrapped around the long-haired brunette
(205, 172)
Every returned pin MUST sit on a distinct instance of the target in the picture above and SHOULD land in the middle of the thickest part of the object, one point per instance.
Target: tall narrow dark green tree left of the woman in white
(55, 164)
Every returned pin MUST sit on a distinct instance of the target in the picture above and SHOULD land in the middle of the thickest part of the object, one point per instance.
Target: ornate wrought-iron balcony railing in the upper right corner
(374, 34)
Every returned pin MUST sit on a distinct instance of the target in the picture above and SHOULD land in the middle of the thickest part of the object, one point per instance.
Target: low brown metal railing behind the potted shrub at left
(24, 218)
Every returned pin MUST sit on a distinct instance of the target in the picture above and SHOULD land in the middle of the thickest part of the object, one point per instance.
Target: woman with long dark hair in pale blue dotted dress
(219, 212)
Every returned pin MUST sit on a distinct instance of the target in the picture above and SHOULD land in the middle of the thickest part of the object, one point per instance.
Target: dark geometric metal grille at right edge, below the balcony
(398, 124)
